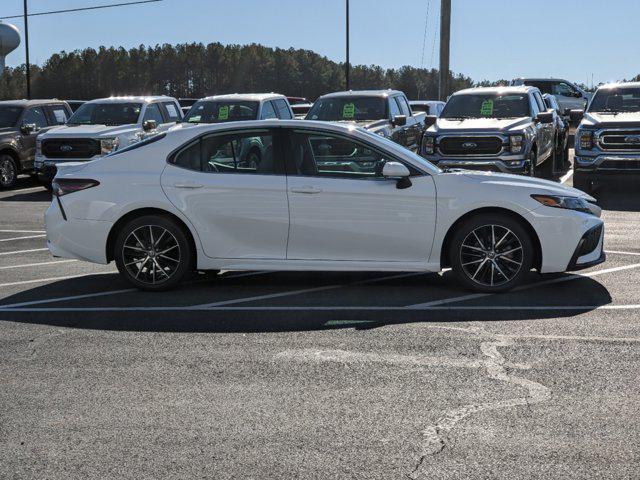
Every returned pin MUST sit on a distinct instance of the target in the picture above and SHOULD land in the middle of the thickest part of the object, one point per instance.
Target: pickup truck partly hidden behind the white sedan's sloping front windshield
(385, 112)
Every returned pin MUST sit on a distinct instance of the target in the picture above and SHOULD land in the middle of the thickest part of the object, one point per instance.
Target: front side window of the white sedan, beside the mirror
(321, 154)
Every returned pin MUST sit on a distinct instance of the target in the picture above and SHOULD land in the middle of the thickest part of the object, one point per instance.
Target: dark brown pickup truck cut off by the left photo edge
(20, 123)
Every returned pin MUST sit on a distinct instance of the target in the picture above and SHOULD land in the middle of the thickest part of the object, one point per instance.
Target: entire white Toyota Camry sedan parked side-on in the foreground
(302, 195)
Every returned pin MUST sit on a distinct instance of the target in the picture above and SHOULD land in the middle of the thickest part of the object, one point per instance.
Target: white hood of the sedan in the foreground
(536, 185)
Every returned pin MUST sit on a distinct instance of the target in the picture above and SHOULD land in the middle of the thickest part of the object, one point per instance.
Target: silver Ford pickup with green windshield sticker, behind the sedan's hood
(500, 129)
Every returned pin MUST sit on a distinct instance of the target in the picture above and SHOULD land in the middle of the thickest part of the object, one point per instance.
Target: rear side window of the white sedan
(238, 152)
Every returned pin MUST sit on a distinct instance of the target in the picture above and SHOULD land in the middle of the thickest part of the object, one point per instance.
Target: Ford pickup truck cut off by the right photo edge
(607, 141)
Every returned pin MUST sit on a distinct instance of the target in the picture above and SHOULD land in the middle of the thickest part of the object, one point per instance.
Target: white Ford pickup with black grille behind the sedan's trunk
(100, 127)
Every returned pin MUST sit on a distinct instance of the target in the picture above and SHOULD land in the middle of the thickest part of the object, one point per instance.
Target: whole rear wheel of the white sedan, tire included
(159, 267)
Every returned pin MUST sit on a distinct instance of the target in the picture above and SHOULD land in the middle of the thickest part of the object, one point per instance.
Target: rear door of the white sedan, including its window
(239, 208)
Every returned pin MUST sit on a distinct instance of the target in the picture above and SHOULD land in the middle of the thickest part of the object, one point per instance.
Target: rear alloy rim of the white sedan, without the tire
(151, 254)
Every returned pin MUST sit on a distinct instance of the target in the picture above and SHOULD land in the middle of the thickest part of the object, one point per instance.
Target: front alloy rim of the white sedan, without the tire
(491, 255)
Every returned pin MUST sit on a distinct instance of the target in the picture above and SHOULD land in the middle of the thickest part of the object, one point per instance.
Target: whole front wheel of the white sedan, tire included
(496, 272)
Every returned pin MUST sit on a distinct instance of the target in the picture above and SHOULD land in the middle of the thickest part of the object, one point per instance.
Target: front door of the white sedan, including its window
(342, 209)
